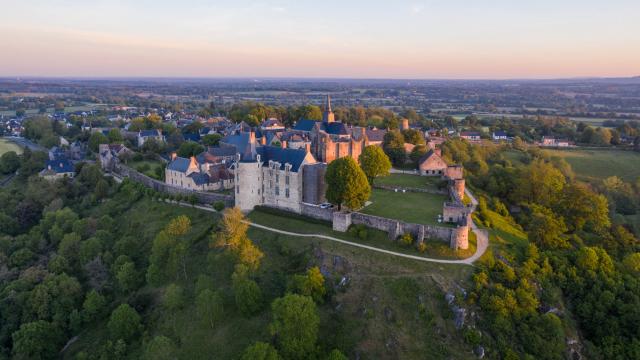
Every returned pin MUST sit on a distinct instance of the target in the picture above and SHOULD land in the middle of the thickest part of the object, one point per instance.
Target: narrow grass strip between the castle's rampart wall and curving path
(435, 248)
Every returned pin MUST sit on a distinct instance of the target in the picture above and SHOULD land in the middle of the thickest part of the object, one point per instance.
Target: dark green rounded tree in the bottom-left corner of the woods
(37, 340)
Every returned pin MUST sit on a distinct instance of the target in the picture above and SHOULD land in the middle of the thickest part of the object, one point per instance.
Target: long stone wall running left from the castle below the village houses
(203, 197)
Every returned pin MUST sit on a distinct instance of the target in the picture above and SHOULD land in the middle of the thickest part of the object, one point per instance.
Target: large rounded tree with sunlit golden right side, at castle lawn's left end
(346, 184)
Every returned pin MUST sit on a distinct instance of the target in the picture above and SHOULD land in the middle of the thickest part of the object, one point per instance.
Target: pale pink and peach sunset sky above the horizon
(430, 39)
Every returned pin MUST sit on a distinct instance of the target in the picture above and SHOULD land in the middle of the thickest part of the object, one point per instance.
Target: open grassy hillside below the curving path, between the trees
(391, 308)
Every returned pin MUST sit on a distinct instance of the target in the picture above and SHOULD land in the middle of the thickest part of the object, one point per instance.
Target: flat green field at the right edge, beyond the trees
(595, 165)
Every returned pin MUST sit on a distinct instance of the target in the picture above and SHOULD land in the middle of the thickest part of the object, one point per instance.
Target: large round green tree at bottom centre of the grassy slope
(295, 326)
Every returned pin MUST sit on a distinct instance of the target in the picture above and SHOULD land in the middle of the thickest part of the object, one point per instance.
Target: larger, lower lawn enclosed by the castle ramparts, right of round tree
(418, 208)
